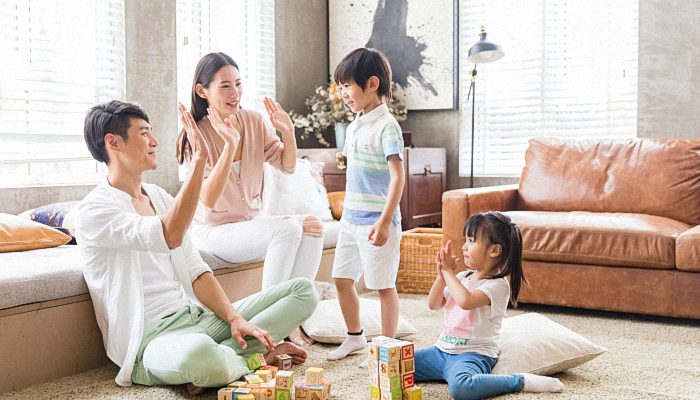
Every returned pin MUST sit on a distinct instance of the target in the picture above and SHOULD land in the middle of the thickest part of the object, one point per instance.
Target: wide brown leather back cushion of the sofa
(641, 176)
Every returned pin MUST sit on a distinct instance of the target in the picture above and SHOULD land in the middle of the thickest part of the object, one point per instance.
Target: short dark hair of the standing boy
(360, 65)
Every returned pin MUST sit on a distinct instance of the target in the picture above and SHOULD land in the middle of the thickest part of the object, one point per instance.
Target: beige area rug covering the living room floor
(647, 358)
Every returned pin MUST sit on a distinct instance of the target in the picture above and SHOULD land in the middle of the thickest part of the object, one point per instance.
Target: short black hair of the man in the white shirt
(111, 117)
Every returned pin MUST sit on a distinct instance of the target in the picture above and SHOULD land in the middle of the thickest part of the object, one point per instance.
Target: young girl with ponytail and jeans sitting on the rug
(475, 303)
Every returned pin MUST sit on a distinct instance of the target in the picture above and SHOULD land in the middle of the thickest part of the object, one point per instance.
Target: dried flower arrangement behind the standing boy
(327, 108)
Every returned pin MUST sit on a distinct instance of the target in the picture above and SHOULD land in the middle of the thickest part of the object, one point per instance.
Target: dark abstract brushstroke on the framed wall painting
(403, 51)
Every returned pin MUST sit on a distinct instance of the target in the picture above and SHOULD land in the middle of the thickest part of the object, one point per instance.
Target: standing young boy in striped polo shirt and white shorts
(371, 224)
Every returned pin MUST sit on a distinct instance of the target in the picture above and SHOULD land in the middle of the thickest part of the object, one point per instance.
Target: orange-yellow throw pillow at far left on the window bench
(19, 234)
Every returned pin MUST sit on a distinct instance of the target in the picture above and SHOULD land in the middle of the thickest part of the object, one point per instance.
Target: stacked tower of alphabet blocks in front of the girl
(392, 369)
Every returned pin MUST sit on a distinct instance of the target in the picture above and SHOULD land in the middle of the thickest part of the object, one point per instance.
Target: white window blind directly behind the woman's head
(243, 29)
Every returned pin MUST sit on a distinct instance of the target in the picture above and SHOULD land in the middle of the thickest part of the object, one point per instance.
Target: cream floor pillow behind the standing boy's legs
(326, 325)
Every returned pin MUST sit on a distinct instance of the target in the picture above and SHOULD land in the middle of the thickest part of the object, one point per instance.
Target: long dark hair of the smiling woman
(207, 67)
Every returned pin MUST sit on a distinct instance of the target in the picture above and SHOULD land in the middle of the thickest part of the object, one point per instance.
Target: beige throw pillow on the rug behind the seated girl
(534, 343)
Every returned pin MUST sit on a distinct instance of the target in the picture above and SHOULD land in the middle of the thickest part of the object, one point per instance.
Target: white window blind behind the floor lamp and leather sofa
(569, 70)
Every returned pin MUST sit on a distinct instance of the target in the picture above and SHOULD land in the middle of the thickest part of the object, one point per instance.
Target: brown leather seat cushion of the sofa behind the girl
(614, 239)
